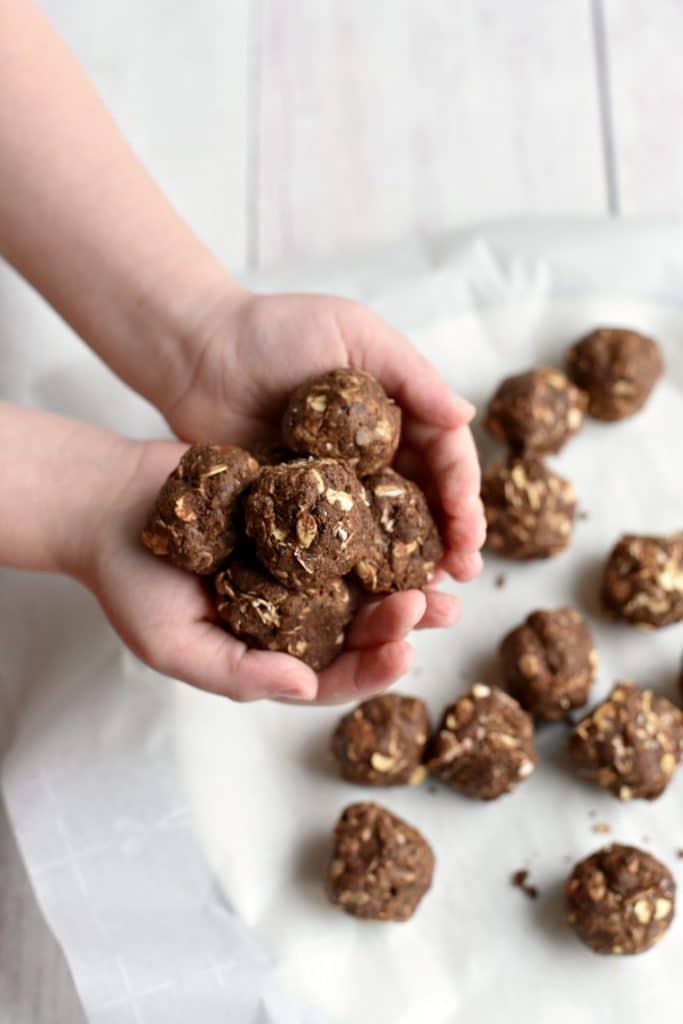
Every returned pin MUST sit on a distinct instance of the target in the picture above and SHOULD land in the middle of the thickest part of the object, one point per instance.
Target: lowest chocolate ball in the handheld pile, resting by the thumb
(308, 624)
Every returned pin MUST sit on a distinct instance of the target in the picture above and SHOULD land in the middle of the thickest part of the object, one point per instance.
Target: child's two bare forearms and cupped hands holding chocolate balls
(75, 204)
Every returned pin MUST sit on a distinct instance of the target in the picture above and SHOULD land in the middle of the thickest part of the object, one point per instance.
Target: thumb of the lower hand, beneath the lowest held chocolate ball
(204, 656)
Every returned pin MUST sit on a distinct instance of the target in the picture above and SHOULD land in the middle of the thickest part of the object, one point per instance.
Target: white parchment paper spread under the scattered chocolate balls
(123, 840)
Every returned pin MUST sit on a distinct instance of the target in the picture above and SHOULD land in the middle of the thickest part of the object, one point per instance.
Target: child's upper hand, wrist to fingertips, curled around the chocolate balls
(254, 351)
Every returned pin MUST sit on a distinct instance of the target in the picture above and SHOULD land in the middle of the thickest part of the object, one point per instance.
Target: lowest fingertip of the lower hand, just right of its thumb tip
(360, 674)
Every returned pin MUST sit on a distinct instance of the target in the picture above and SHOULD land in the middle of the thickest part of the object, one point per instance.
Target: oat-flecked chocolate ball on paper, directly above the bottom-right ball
(630, 745)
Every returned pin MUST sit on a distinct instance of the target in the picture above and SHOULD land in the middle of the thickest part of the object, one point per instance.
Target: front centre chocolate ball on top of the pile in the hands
(310, 521)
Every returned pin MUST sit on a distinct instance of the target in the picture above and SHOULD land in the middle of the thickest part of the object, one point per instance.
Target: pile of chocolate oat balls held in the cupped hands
(280, 533)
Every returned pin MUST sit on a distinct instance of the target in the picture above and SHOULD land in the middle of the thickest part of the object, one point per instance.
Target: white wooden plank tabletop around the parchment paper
(292, 129)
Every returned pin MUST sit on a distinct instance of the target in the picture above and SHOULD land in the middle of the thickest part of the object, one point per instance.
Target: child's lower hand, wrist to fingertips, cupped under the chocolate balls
(167, 617)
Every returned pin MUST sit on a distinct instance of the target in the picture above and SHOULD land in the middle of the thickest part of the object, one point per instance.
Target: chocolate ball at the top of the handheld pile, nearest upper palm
(345, 414)
